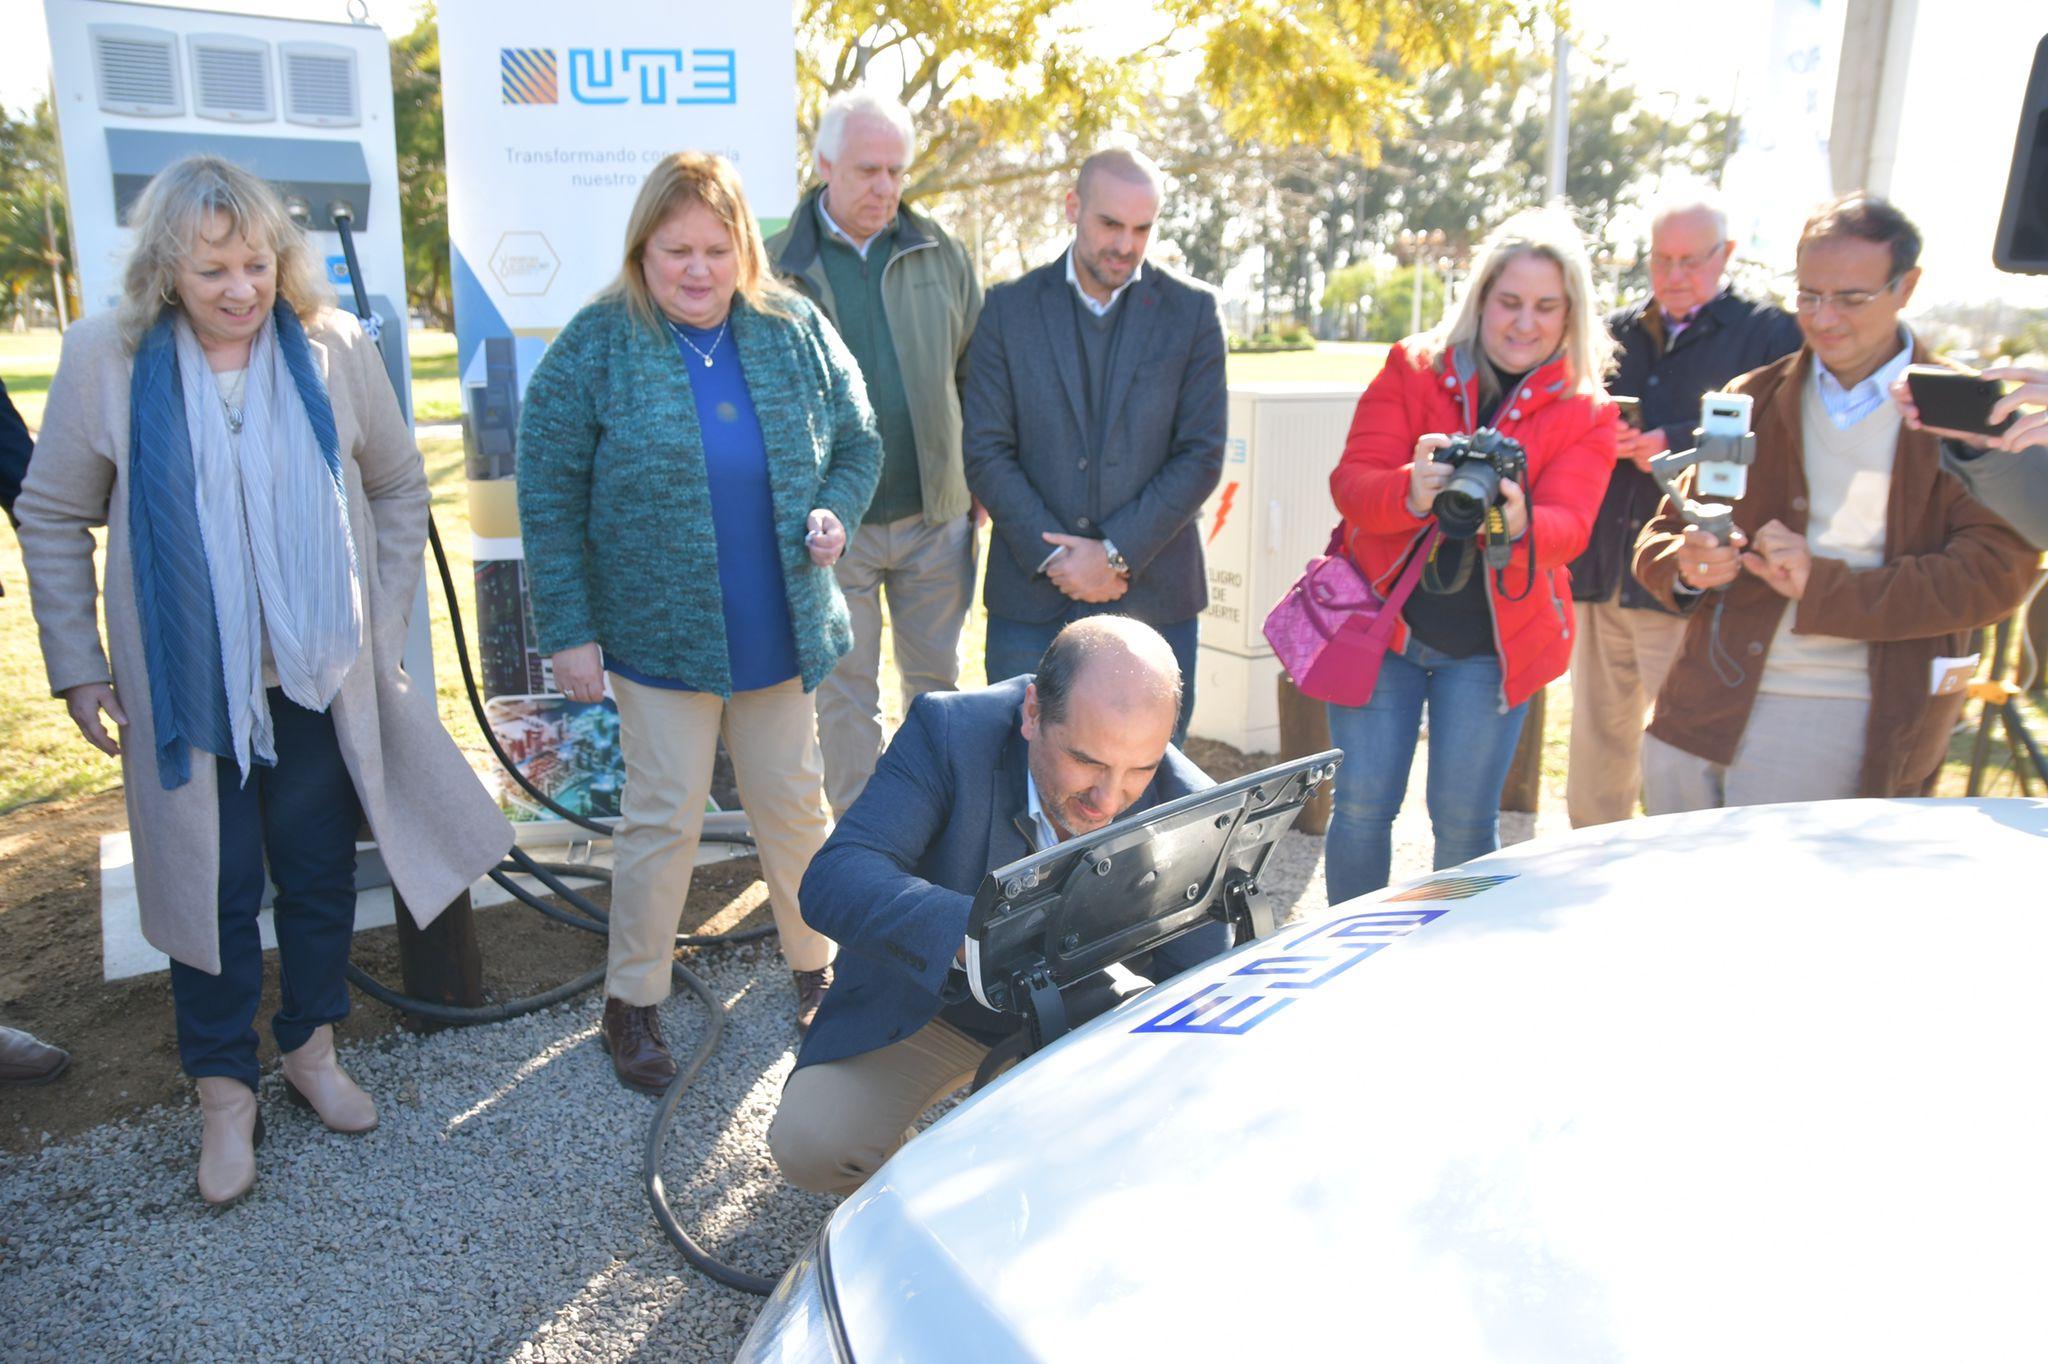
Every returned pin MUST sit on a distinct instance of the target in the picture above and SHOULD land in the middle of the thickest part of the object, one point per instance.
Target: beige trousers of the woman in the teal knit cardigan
(671, 742)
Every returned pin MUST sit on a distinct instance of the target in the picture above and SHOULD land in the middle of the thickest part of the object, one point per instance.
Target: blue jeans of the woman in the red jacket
(1471, 749)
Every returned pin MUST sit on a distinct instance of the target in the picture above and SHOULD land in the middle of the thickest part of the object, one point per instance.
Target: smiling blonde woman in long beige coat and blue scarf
(265, 517)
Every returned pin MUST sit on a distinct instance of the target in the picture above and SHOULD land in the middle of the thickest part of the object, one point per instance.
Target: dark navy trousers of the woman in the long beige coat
(304, 816)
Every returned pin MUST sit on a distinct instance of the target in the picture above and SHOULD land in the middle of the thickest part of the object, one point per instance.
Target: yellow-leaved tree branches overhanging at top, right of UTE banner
(1017, 75)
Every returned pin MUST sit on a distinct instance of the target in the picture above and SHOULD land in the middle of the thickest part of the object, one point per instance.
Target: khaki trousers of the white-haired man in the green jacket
(929, 574)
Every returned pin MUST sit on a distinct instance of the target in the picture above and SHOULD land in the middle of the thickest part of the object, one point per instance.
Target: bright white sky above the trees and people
(1957, 134)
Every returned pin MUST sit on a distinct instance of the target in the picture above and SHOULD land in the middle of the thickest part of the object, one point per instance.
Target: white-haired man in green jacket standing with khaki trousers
(904, 298)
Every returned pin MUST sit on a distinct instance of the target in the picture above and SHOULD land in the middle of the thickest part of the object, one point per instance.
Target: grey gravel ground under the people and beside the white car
(495, 1216)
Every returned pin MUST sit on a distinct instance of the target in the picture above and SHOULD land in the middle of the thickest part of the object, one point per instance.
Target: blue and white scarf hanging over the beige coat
(237, 544)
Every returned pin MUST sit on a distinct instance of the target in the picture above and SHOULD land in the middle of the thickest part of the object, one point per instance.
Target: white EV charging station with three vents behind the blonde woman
(308, 108)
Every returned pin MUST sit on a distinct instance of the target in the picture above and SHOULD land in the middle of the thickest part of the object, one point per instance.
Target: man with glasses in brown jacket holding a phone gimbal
(1824, 652)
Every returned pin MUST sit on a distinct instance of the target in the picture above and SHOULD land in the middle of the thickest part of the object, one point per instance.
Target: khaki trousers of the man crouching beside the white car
(843, 1119)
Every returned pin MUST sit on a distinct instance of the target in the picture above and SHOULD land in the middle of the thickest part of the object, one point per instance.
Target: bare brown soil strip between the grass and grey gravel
(120, 1033)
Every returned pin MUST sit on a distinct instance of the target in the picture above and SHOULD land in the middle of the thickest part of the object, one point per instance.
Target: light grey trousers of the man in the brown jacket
(1795, 749)
